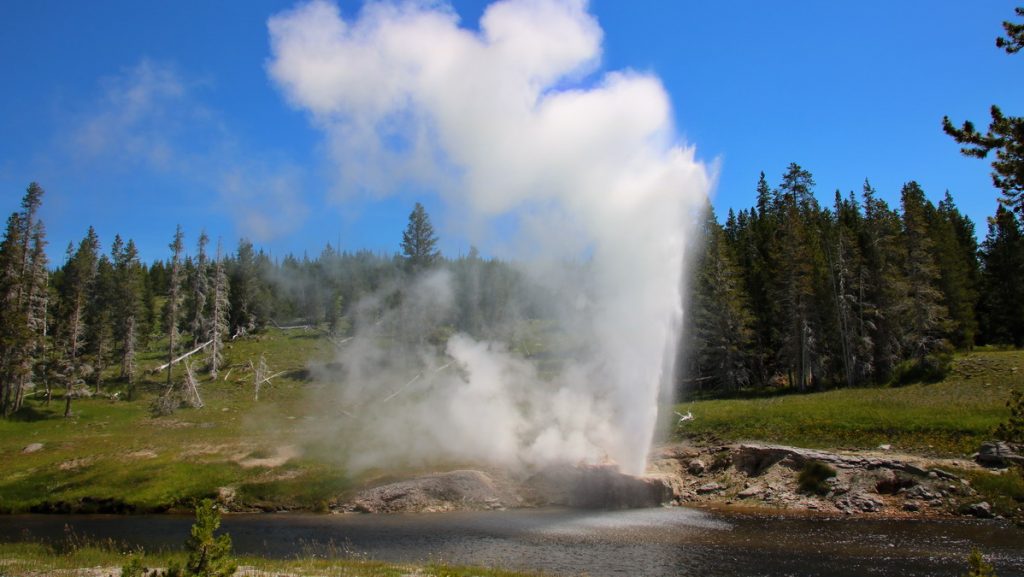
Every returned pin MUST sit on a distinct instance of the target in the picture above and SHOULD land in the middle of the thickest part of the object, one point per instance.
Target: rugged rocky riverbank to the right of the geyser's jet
(877, 483)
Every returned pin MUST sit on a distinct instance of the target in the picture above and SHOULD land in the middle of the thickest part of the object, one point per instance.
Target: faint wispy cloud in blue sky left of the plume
(153, 117)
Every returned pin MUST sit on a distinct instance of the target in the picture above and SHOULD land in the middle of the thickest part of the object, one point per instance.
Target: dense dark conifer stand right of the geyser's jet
(790, 295)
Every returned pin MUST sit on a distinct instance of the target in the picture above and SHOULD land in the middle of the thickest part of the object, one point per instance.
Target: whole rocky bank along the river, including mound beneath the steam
(766, 477)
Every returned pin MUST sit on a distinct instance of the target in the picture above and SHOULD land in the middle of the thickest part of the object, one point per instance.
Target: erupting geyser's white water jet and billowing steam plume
(509, 121)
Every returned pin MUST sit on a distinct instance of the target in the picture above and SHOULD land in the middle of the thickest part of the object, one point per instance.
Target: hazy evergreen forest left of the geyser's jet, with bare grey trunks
(74, 327)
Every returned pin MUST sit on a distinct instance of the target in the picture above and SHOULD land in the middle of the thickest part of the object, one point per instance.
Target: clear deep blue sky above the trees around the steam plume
(138, 116)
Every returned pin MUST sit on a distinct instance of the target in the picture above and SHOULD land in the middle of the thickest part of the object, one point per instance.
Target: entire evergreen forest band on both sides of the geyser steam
(786, 295)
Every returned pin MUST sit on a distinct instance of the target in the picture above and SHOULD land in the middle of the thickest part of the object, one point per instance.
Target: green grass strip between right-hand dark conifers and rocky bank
(949, 419)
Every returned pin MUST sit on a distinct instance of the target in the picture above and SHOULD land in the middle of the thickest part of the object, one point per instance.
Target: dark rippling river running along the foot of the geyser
(652, 543)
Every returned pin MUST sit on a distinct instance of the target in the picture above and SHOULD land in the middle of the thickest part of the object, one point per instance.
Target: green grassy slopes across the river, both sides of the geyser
(113, 457)
